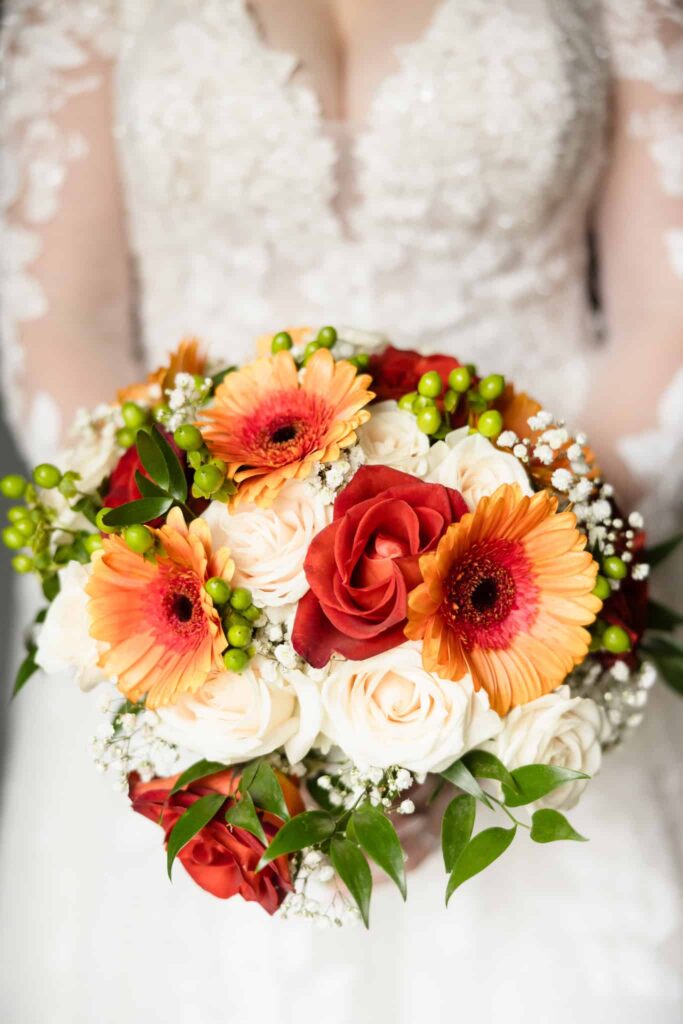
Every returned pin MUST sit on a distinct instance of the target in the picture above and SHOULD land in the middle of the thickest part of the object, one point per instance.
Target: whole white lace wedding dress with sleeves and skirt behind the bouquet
(454, 217)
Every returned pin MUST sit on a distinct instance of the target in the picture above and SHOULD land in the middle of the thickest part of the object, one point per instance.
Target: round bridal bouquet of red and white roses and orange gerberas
(339, 586)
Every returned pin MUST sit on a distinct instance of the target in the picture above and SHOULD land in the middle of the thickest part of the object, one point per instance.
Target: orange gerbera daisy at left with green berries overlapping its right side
(164, 635)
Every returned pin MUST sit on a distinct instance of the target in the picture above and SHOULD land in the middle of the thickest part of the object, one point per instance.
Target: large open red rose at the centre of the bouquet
(362, 567)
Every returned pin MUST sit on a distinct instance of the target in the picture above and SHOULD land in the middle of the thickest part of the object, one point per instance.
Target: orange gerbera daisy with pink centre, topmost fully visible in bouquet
(270, 426)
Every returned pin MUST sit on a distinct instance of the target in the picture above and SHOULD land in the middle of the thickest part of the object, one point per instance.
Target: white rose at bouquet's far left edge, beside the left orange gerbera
(65, 643)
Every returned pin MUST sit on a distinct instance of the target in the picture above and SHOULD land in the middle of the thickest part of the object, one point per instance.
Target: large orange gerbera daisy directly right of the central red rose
(506, 596)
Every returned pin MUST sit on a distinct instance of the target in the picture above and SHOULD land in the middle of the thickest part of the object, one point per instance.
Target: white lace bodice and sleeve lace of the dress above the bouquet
(456, 216)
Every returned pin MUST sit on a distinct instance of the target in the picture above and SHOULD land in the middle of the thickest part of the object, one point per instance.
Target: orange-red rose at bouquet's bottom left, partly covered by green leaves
(221, 859)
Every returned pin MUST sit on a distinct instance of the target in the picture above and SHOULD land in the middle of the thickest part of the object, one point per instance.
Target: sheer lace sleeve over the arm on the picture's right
(641, 239)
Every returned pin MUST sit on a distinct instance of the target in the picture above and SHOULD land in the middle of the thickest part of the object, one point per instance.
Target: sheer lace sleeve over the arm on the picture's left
(65, 289)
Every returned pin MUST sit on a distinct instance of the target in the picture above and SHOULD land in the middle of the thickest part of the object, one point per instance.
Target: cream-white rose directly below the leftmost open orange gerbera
(237, 717)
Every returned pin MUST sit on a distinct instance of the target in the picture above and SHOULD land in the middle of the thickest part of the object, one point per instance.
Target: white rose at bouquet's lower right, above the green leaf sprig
(556, 730)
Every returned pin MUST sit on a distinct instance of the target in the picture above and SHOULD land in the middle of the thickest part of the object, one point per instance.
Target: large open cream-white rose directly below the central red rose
(390, 711)
